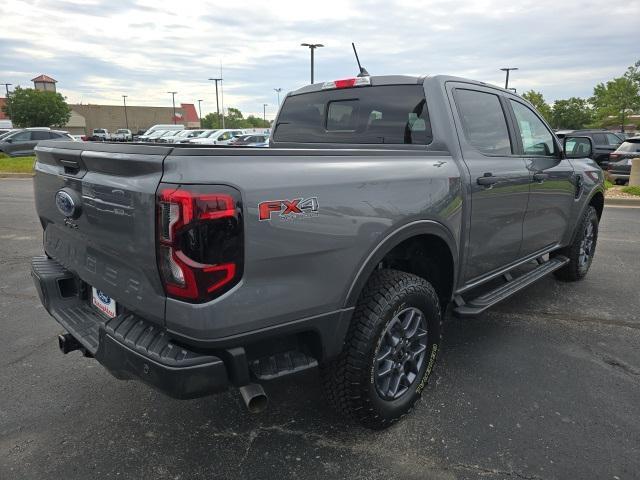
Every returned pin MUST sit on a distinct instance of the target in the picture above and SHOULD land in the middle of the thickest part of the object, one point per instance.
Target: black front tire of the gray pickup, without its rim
(577, 269)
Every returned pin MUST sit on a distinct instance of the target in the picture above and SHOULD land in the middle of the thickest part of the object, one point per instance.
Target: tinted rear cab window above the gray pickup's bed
(384, 114)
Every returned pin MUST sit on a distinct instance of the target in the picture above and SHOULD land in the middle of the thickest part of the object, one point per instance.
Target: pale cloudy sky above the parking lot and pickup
(99, 50)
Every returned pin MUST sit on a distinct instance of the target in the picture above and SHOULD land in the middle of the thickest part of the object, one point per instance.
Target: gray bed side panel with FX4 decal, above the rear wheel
(301, 266)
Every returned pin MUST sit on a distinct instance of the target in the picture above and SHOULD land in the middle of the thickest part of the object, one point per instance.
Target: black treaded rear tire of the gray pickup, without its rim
(349, 379)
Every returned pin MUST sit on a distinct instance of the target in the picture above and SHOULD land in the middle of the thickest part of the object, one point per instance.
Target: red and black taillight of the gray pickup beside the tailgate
(200, 240)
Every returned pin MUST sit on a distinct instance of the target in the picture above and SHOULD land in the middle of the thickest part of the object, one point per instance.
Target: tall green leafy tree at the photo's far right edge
(618, 97)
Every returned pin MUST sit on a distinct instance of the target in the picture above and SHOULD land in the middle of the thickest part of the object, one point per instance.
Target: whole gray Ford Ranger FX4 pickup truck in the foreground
(381, 203)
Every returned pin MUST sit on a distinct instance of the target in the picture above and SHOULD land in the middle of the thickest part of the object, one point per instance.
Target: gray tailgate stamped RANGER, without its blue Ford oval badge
(109, 240)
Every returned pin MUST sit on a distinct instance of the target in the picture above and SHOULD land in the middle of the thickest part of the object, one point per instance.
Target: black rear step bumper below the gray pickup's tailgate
(127, 345)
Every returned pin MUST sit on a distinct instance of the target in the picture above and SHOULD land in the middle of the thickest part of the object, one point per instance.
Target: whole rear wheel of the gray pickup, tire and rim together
(389, 352)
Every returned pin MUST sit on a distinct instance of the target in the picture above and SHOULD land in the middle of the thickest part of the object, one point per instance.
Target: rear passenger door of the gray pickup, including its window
(499, 179)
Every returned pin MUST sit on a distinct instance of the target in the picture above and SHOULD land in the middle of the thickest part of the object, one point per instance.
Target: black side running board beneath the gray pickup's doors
(471, 308)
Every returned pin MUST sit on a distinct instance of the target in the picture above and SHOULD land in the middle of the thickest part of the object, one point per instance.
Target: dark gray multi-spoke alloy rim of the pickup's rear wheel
(401, 353)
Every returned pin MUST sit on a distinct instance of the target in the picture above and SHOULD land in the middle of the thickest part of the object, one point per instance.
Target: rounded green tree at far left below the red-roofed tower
(36, 108)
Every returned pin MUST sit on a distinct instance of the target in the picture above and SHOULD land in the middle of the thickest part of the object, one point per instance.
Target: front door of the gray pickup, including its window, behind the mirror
(553, 184)
